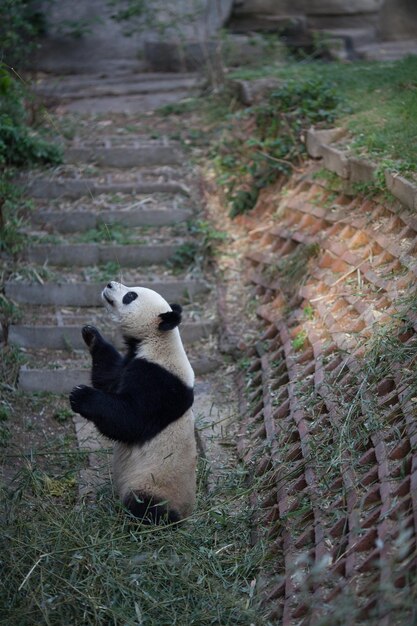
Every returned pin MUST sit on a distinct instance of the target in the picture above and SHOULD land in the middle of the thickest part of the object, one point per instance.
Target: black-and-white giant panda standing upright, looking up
(142, 401)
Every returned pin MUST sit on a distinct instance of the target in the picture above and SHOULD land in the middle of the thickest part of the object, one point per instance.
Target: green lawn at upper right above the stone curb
(378, 103)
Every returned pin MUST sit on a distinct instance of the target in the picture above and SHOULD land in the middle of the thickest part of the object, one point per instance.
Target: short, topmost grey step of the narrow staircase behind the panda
(144, 154)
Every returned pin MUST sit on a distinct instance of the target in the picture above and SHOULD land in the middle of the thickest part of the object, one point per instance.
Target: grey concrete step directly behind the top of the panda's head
(88, 294)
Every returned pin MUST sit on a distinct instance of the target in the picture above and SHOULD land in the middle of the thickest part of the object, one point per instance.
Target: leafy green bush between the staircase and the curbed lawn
(266, 141)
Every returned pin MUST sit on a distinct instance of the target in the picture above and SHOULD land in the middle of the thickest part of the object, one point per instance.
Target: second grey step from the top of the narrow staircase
(77, 188)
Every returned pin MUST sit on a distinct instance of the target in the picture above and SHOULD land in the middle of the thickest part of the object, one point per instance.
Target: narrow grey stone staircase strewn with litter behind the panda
(126, 223)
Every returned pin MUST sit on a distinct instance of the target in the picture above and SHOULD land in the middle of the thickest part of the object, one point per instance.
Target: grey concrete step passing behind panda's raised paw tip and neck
(69, 337)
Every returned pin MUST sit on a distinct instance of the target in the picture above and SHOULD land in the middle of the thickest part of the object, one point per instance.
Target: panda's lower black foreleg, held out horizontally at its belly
(114, 416)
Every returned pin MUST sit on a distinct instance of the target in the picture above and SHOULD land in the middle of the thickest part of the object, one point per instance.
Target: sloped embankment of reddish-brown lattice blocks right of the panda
(329, 428)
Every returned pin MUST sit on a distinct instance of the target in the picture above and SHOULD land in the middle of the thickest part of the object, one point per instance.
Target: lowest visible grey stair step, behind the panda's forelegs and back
(63, 380)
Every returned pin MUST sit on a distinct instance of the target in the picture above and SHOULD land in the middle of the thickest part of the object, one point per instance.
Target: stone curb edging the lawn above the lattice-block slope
(354, 169)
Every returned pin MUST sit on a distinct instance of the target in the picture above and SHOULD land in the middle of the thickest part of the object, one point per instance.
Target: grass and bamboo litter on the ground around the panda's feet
(65, 562)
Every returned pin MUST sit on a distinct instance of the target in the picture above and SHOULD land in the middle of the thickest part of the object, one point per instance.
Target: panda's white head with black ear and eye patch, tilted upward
(139, 312)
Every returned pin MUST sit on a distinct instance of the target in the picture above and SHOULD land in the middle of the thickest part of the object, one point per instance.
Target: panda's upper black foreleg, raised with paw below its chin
(106, 360)
